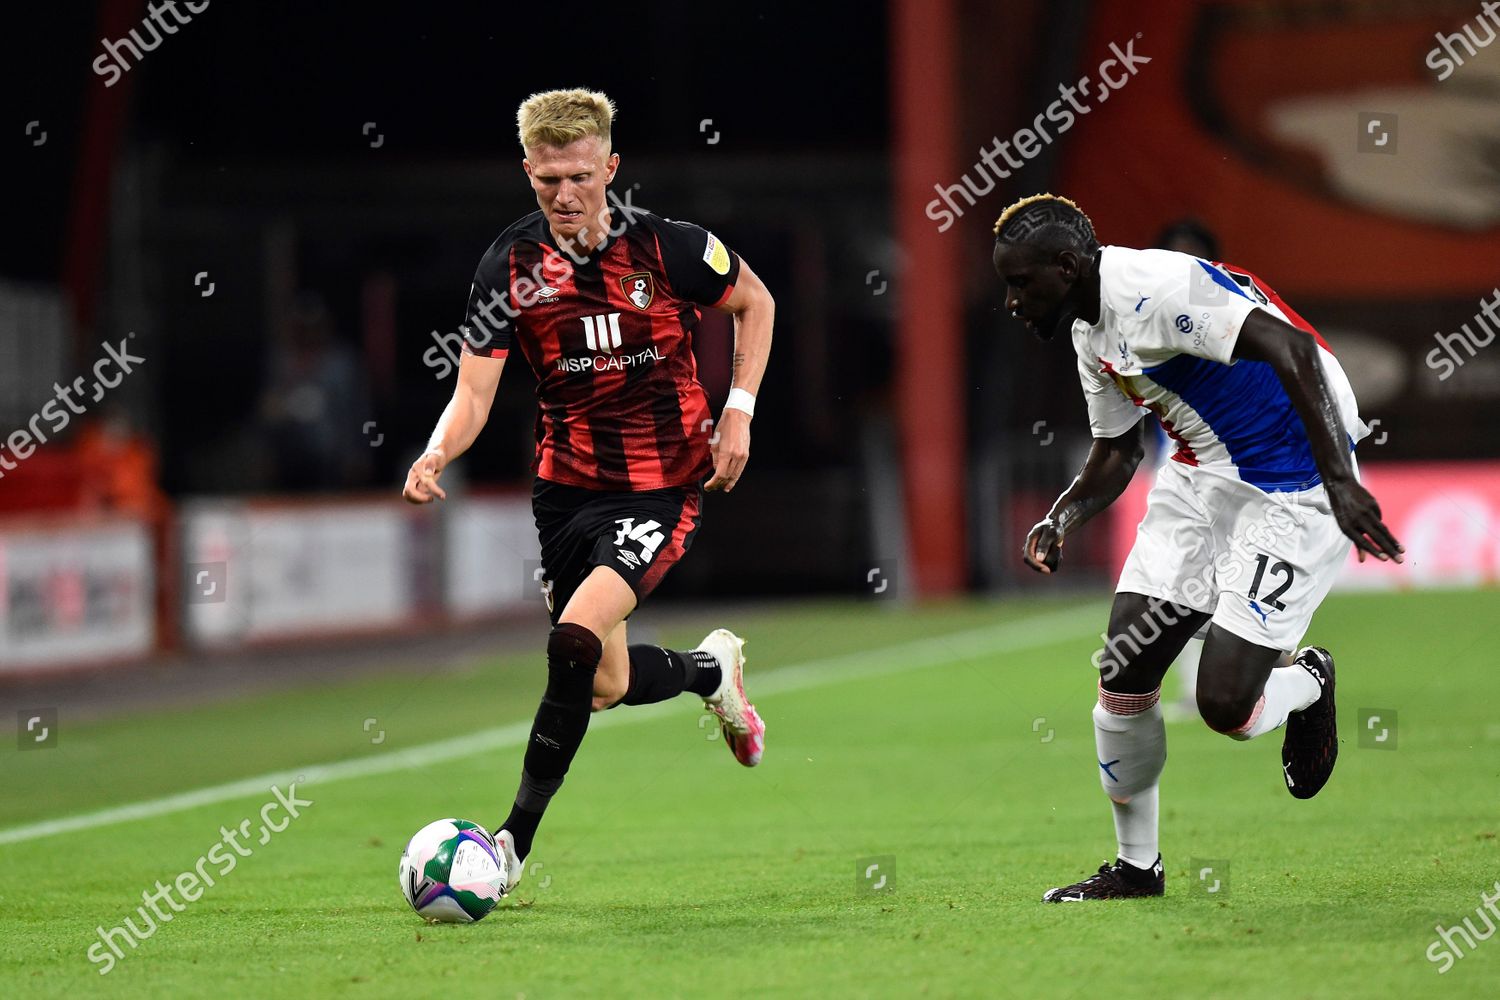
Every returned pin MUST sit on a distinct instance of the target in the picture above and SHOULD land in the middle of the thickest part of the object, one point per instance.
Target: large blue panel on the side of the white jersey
(1252, 415)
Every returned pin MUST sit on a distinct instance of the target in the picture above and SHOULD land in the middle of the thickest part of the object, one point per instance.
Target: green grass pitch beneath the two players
(950, 744)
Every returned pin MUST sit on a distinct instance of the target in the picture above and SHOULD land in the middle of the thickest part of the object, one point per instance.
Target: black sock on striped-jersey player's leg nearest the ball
(559, 729)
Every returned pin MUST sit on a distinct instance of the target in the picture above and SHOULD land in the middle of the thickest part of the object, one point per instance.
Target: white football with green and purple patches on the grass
(451, 873)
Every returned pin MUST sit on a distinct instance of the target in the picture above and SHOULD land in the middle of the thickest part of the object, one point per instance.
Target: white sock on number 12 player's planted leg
(1133, 749)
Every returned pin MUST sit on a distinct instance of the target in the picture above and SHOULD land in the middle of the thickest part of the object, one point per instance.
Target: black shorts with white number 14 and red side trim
(638, 536)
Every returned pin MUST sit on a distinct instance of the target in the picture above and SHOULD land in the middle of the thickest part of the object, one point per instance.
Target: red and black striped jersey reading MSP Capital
(611, 341)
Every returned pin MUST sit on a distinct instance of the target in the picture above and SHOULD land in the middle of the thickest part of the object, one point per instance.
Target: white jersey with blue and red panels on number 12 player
(1165, 343)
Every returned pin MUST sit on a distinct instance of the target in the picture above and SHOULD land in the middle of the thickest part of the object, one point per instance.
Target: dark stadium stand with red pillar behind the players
(908, 433)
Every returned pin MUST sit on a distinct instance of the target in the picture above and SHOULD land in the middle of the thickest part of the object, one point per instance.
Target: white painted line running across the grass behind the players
(1042, 630)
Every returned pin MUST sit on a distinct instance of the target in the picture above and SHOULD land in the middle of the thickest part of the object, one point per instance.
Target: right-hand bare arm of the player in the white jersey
(1295, 359)
